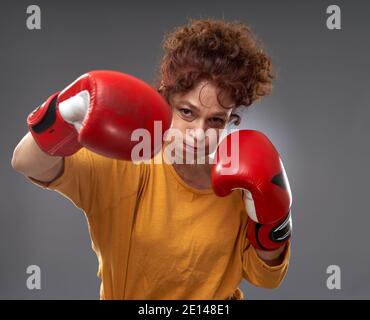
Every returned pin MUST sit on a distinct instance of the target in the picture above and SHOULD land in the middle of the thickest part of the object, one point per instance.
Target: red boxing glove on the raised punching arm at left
(100, 111)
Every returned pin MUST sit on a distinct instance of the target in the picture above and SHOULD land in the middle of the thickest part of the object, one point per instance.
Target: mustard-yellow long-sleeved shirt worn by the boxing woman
(156, 237)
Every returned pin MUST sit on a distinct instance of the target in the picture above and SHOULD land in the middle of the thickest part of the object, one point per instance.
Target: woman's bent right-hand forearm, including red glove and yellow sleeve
(260, 174)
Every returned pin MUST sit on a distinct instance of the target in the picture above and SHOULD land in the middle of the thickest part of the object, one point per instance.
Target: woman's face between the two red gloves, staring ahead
(200, 118)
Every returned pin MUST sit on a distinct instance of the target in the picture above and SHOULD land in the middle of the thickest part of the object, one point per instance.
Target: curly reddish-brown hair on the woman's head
(225, 53)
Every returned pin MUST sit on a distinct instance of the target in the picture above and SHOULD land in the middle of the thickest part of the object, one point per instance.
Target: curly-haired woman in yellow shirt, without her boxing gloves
(158, 229)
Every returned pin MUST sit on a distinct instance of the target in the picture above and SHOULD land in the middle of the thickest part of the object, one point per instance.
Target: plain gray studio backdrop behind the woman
(317, 117)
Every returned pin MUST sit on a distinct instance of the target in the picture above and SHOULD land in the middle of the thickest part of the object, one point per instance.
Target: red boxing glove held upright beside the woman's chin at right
(256, 168)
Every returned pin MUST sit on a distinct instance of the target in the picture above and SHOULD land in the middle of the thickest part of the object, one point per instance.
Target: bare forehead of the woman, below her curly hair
(204, 96)
